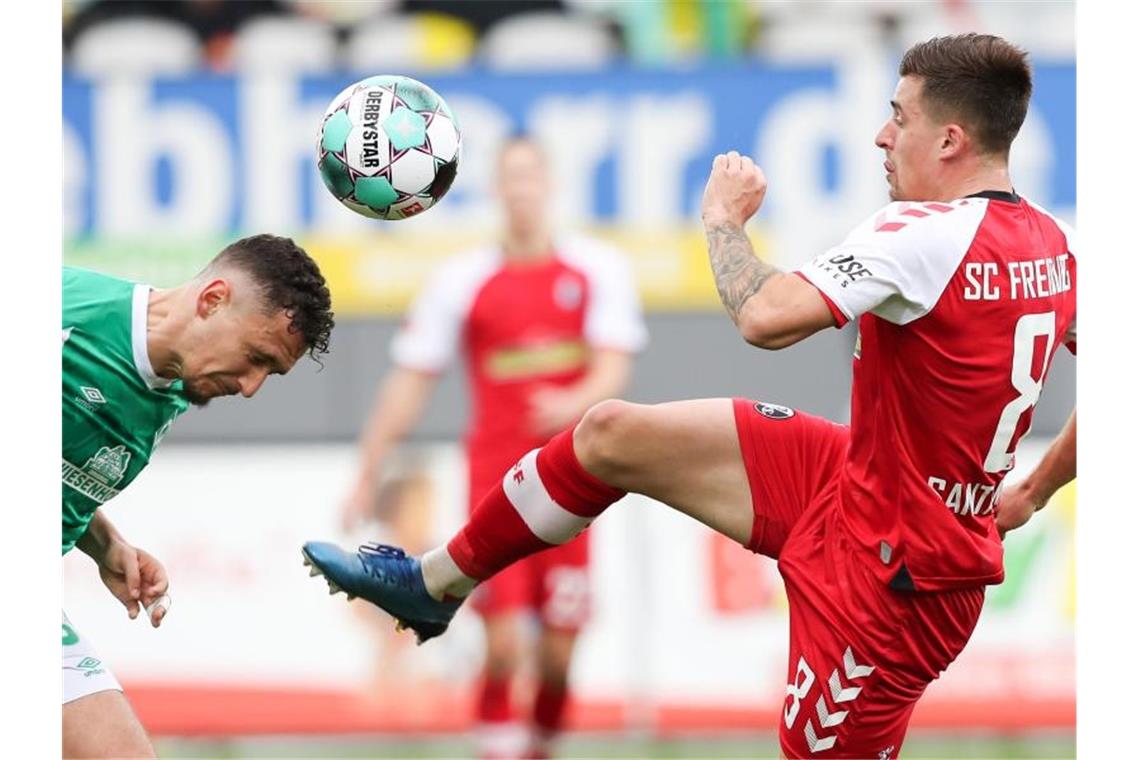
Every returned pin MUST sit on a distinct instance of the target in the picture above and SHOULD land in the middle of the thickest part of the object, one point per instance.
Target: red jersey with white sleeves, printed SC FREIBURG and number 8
(960, 309)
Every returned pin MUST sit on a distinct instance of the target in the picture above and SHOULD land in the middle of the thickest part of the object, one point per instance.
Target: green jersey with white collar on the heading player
(116, 408)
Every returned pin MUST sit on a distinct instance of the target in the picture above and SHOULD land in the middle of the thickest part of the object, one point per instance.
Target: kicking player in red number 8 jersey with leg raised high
(884, 530)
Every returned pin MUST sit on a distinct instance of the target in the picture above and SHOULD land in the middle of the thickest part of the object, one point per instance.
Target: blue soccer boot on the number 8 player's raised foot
(388, 578)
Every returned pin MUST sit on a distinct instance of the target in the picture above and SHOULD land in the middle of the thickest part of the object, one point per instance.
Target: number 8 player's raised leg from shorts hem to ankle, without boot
(686, 454)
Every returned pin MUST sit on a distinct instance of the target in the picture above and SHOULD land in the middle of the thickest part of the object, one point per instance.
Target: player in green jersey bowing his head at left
(134, 359)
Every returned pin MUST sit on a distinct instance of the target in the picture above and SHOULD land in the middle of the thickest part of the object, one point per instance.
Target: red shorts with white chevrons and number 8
(861, 655)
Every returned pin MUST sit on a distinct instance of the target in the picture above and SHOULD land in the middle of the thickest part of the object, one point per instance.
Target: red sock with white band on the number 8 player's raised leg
(544, 501)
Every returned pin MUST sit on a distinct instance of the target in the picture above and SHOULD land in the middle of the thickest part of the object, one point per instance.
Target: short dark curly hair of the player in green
(290, 281)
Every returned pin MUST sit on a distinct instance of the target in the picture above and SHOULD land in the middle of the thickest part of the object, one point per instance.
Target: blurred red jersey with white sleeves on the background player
(520, 326)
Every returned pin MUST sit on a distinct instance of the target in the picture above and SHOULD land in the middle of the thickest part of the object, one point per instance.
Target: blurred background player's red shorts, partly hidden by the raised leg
(553, 585)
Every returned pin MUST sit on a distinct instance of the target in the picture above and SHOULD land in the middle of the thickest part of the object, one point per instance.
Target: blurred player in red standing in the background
(548, 328)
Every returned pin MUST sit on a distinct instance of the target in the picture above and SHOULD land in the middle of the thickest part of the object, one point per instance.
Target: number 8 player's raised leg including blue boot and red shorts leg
(744, 469)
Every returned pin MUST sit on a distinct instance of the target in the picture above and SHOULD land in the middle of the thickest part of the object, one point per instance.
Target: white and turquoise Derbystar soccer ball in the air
(389, 148)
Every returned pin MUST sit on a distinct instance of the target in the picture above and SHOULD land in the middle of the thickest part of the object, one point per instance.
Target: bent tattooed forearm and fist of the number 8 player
(770, 308)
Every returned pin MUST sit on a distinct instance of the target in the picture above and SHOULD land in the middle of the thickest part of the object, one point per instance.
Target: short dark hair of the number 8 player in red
(979, 79)
